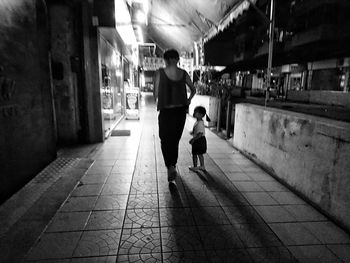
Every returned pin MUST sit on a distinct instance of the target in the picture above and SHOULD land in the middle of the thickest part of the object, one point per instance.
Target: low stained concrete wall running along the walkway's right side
(310, 154)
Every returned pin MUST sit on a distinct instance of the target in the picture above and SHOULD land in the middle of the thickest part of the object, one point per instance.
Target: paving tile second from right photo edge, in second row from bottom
(294, 234)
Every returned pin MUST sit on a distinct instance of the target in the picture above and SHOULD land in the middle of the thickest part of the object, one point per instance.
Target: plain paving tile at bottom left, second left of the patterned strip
(54, 246)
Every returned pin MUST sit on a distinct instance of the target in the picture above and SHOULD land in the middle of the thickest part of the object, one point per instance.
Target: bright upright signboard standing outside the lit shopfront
(132, 103)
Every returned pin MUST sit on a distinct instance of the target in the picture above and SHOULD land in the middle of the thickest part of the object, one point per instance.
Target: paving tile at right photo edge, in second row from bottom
(327, 232)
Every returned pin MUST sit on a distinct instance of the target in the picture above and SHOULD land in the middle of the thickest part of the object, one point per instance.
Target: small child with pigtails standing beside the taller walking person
(198, 142)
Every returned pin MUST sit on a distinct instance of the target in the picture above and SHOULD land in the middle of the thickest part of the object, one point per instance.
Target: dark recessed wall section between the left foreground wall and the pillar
(64, 47)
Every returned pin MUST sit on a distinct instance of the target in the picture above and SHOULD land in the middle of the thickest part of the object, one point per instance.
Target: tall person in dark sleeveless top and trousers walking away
(170, 91)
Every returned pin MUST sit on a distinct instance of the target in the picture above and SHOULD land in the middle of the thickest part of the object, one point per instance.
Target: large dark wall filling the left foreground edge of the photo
(27, 131)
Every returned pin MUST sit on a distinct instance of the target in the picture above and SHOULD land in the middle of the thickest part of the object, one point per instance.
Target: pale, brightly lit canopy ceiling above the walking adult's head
(179, 23)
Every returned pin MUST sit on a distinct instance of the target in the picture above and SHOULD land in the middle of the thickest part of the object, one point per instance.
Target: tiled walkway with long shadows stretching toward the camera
(115, 205)
